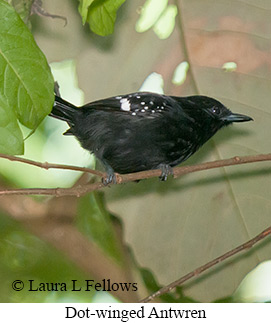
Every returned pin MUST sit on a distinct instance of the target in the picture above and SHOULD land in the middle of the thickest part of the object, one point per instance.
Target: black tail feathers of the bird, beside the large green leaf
(64, 110)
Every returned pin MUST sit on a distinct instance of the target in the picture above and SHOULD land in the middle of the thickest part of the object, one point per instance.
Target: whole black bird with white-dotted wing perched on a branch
(143, 130)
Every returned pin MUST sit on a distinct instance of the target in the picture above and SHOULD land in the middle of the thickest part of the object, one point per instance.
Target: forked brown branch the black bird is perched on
(84, 189)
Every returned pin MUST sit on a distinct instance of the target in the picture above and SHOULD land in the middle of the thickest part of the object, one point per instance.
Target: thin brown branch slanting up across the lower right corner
(247, 245)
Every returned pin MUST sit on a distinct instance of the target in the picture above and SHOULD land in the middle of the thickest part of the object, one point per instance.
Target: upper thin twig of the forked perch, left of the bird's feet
(49, 165)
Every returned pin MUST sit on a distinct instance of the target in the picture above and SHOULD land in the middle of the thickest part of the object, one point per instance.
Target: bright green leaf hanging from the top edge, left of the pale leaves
(102, 16)
